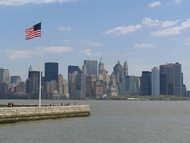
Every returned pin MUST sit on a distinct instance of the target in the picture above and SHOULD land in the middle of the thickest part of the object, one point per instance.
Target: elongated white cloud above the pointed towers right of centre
(122, 30)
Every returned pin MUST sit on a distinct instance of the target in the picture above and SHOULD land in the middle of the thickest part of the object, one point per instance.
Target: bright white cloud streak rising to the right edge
(174, 30)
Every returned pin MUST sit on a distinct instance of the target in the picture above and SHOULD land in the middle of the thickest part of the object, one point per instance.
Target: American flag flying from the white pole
(33, 32)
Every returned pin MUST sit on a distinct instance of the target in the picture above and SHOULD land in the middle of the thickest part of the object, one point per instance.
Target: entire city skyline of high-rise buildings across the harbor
(93, 81)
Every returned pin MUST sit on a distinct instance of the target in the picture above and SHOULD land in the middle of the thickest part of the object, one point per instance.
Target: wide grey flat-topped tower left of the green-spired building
(91, 67)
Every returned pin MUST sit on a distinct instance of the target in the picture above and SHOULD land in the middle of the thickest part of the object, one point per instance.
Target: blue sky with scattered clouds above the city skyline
(145, 33)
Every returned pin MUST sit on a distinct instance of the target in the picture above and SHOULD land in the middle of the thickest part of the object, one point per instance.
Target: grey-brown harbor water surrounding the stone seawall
(109, 122)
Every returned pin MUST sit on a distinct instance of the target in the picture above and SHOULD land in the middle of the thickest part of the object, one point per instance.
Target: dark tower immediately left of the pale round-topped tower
(146, 83)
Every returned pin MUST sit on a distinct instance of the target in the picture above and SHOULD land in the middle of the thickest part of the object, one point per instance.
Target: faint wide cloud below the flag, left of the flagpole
(14, 54)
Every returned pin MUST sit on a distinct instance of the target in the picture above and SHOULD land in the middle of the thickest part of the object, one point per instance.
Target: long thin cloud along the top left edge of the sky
(23, 2)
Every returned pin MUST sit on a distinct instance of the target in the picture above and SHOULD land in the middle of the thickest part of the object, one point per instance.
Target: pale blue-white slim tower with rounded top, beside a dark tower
(155, 77)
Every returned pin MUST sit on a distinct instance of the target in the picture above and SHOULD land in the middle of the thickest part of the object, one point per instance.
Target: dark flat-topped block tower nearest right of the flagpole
(51, 71)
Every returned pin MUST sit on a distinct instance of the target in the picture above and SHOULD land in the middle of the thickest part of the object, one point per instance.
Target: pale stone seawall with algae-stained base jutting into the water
(16, 114)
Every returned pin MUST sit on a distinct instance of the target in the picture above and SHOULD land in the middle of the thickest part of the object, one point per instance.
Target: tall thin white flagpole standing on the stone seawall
(40, 88)
